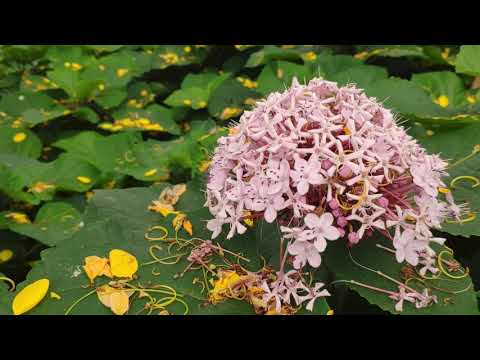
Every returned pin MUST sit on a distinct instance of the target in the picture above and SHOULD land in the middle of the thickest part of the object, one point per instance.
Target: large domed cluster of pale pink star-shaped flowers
(328, 163)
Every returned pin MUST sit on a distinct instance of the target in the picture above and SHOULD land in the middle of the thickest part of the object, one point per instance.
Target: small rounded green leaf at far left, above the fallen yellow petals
(55, 222)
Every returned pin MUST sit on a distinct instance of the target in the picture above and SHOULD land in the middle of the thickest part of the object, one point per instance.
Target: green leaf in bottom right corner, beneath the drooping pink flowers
(368, 254)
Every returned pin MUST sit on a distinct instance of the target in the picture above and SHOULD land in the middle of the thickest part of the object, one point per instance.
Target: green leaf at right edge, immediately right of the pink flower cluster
(455, 144)
